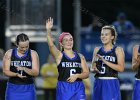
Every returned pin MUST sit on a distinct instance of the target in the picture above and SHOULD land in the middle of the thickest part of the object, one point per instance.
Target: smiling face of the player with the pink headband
(67, 42)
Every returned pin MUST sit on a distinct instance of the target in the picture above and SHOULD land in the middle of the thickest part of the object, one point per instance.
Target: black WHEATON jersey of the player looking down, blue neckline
(24, 61)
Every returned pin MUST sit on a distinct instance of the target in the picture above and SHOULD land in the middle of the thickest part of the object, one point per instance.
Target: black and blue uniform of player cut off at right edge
(136, 89)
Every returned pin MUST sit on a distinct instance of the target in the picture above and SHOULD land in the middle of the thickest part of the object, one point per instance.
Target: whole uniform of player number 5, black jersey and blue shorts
(106, 84)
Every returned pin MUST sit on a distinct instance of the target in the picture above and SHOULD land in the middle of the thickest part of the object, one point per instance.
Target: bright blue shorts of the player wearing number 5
(106, 89)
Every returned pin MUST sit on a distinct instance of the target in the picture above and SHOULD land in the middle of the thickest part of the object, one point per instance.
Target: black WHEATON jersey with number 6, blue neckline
(69, 66)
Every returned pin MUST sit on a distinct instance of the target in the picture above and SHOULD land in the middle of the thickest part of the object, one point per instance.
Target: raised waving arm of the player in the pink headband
(53, 49)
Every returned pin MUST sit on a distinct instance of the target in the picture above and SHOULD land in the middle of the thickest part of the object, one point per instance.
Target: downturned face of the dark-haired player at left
(23, 46)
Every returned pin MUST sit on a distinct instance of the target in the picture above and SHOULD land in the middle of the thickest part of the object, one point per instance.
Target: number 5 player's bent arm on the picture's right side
(120, 59)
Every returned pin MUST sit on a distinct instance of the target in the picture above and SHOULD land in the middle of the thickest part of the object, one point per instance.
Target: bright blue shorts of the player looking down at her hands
(20, 92)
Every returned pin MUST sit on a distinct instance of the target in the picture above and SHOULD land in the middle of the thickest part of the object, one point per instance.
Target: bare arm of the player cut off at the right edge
(135, 58)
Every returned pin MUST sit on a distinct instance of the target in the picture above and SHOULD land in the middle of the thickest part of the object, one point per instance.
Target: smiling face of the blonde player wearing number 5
(106, 36)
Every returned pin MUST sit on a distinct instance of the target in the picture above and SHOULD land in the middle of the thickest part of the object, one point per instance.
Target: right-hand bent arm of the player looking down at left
(35, 65)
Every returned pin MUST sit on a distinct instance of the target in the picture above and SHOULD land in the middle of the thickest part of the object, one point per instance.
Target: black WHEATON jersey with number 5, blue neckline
(110, 56)
